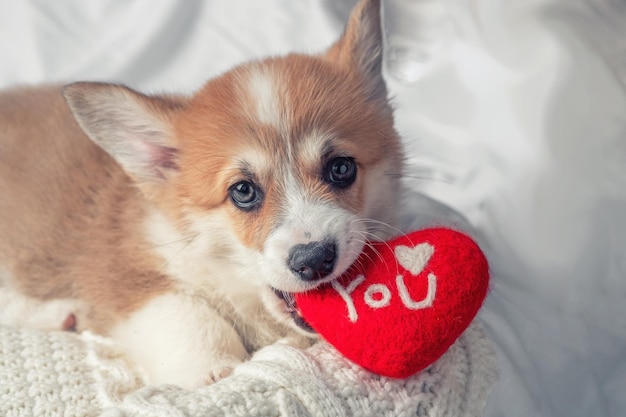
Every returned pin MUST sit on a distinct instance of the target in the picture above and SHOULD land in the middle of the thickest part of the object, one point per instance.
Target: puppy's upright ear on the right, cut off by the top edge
(361, 47)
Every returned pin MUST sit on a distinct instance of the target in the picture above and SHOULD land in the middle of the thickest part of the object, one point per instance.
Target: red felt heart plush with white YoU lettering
(403, 303)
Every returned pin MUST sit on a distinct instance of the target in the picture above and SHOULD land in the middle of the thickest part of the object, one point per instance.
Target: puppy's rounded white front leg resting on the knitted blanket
(177, 338)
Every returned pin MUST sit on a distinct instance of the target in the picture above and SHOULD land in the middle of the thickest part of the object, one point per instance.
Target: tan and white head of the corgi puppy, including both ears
(287, 165)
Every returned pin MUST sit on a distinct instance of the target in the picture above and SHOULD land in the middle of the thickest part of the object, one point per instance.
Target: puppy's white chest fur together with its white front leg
(213, 318)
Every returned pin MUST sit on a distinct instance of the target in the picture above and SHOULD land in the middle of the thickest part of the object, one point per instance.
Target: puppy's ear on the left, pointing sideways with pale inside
(133, 128)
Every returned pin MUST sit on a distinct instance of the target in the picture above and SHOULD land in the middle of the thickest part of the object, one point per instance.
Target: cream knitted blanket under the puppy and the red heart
(64, 374)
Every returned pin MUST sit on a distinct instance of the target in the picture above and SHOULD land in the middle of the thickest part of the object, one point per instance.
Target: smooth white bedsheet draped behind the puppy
(518, 122)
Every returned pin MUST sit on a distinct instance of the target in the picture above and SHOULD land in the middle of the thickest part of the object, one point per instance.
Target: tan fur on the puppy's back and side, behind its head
(69, 213)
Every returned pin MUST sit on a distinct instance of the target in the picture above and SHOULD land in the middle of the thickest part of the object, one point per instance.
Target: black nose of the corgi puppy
(312, 261)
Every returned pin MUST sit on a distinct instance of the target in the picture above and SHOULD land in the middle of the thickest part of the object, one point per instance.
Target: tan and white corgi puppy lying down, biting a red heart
(180, 226)
